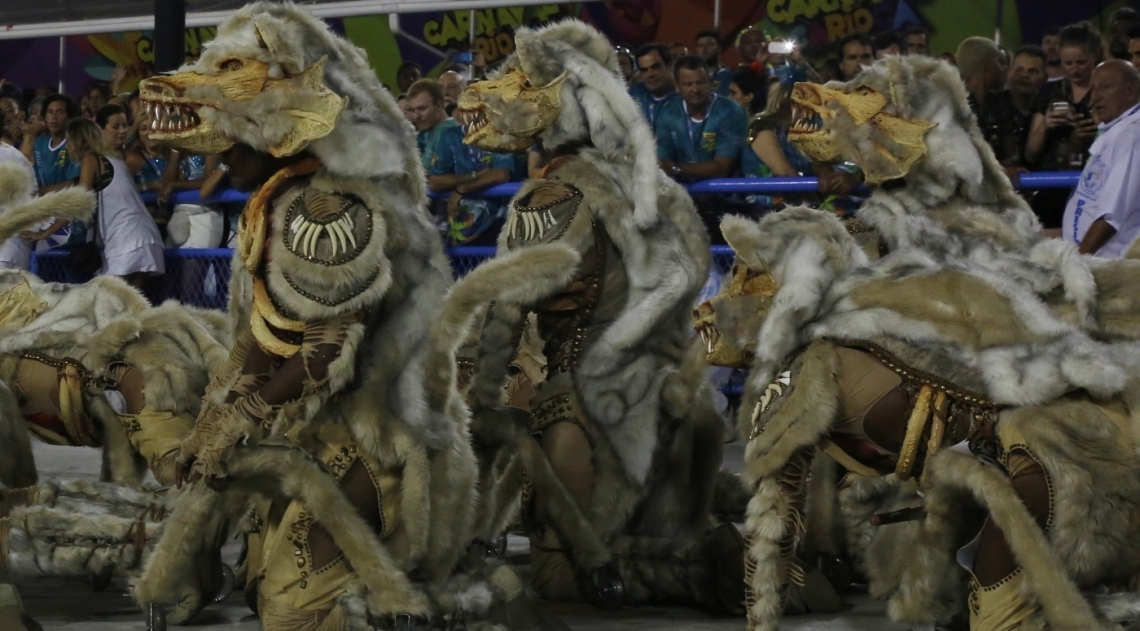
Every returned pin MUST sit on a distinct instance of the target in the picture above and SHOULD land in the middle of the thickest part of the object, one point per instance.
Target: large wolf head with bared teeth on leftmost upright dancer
(281, 81)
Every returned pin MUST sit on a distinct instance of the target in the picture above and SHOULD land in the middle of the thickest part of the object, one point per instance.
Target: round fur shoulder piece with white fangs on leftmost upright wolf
(328, 252)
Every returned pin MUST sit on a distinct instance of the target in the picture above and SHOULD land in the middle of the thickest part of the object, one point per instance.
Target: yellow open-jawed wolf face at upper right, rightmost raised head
(854, 125)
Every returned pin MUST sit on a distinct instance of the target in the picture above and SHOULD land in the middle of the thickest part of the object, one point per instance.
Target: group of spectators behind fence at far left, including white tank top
(102, 143)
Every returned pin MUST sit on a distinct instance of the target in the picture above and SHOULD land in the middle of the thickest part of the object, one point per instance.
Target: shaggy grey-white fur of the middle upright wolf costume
(640, 380)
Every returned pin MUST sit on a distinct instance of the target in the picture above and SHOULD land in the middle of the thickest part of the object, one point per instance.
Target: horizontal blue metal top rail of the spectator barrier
(1028, 182)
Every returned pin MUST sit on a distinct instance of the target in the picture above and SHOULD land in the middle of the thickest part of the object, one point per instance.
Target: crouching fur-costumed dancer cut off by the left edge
(64, 347)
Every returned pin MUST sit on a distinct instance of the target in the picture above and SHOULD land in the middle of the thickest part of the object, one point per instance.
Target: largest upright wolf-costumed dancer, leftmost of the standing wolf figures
(337, 417)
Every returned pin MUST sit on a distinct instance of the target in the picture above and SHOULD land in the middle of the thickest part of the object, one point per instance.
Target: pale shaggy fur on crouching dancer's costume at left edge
(103, 322)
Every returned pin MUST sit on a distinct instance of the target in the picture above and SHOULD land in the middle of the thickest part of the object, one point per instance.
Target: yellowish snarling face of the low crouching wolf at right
(730, 323)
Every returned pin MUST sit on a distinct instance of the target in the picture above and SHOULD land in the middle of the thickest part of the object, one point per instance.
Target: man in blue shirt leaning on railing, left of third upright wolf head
(701, 135)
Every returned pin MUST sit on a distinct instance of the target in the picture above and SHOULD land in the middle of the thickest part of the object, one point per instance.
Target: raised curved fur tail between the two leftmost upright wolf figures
(522, 277)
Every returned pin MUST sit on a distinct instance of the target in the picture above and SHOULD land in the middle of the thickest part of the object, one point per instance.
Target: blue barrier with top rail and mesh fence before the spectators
(201, 277)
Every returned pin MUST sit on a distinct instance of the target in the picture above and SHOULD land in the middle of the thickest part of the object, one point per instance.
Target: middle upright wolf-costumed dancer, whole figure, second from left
(622, 473)
